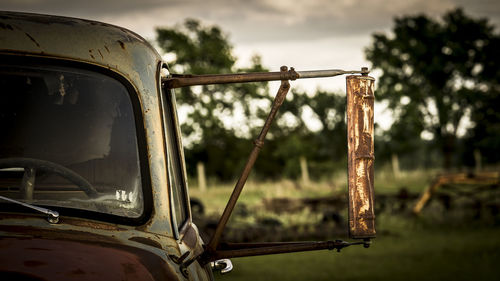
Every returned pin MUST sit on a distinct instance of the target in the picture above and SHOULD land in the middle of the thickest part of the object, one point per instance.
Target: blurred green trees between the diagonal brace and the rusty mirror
(325, 146)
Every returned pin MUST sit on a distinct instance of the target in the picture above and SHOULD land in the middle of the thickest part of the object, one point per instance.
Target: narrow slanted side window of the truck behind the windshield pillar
(175, 169)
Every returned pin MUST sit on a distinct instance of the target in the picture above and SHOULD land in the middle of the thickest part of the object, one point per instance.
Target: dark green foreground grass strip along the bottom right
(459, 254)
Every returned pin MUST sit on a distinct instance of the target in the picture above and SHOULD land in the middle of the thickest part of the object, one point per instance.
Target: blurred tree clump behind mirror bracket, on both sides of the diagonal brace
(222, 120)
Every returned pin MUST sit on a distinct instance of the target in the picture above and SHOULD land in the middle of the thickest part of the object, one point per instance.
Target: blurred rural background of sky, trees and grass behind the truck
(437, 127)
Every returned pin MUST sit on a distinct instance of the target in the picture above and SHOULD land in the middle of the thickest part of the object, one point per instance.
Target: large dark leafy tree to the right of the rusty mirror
(433, 75)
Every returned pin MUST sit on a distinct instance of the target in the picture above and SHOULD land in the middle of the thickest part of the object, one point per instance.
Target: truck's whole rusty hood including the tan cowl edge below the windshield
(70, 252)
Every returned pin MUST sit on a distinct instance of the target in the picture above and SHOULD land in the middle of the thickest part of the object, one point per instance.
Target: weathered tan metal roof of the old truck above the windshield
(93, 42)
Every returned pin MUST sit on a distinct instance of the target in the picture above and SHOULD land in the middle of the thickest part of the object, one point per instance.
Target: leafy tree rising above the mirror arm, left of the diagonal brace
(214, 135)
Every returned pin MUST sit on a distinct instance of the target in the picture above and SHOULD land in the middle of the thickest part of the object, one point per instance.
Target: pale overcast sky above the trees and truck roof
(308, 35)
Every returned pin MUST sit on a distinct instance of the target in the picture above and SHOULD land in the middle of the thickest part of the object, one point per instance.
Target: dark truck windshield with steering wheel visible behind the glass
(68, 139)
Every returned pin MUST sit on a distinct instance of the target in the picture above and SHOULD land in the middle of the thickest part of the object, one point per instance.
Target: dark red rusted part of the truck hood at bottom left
(27, 258)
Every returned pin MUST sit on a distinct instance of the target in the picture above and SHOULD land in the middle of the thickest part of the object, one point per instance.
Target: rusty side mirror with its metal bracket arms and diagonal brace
(360, 105)
